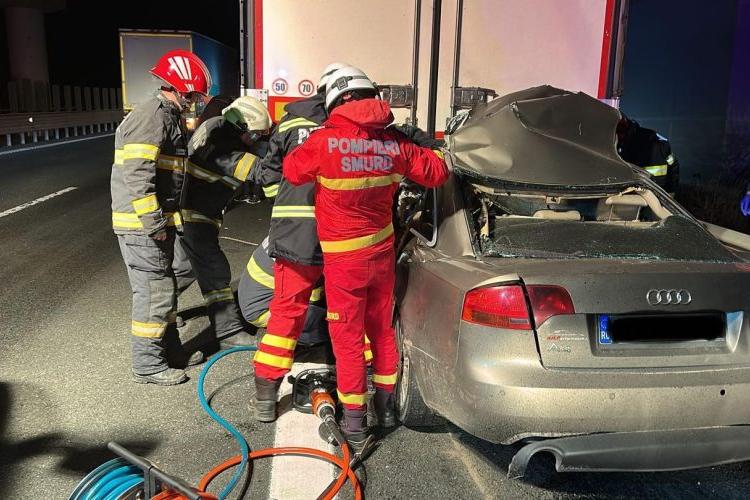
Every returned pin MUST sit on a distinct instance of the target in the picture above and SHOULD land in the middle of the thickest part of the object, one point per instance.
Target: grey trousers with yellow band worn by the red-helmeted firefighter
(158, 272)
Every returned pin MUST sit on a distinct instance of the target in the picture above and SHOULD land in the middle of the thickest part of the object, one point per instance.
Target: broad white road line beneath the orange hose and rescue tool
(299, 477)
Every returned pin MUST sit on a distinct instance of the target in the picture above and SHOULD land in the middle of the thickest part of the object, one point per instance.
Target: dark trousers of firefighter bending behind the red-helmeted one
(211, 268)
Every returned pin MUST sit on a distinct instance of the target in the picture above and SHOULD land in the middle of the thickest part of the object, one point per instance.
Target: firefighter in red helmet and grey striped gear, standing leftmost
(146, 184)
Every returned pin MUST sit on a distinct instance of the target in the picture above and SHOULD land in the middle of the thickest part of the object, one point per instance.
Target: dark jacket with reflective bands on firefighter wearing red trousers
(293, 235)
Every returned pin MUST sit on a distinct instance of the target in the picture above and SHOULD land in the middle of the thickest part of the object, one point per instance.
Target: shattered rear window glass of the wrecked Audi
(675, 238)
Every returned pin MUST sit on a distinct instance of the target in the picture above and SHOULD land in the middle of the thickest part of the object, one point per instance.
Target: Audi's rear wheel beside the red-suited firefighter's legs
(410, 407)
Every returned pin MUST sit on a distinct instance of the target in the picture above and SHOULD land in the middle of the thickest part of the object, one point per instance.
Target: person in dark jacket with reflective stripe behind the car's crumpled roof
(649, 150)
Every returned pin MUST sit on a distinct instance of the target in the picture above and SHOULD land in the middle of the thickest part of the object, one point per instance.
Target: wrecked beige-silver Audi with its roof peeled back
(550, 293)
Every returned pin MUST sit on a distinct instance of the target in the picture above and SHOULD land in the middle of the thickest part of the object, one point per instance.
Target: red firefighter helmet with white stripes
(183, 71)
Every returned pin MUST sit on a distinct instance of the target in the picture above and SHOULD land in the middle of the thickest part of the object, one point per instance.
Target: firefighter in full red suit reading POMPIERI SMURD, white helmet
(356, 166)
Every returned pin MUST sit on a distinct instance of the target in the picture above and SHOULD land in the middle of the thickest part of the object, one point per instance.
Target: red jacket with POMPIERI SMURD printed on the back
(357, 165)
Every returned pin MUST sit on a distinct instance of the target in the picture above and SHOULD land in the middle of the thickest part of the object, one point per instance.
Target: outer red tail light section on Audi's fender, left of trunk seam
(497, 306)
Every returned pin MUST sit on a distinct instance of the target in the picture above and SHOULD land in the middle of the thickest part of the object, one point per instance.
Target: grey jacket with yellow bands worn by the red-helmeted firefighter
(148, 169)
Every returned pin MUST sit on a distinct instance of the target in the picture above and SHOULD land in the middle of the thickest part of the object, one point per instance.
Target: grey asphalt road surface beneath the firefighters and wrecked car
(65, 387)
